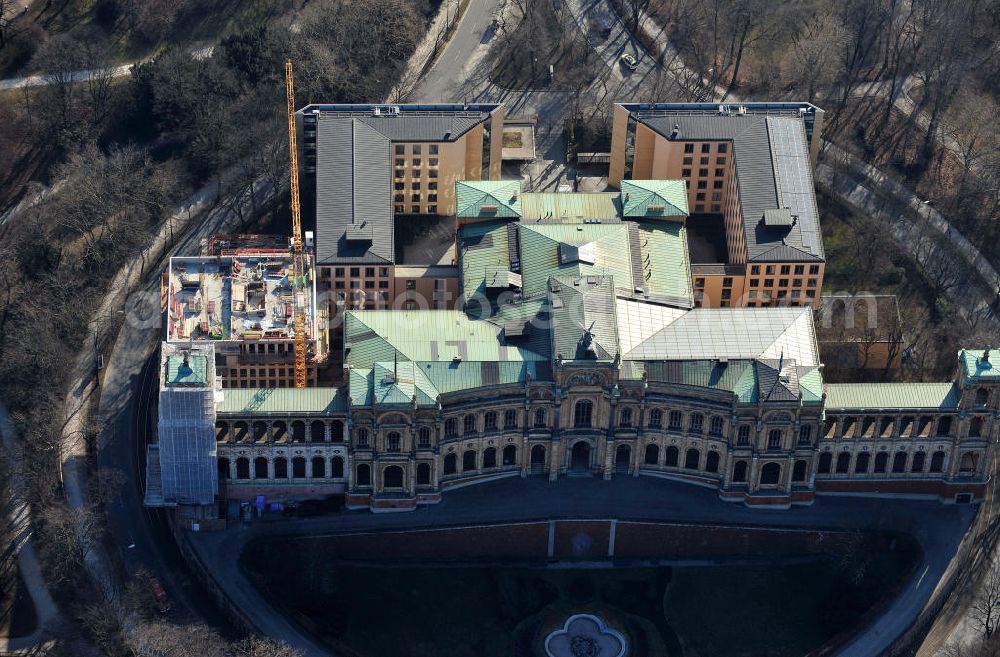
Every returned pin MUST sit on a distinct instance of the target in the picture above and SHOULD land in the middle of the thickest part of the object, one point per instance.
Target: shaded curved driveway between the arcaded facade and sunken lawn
(938, 528)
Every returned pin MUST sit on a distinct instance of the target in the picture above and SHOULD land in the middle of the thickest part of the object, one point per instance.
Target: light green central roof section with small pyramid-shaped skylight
(600, 250)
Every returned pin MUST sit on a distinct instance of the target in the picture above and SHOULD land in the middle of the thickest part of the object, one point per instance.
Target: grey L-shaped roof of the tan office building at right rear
(771, 158)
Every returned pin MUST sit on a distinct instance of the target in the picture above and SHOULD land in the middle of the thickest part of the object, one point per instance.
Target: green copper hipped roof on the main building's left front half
(375, 336)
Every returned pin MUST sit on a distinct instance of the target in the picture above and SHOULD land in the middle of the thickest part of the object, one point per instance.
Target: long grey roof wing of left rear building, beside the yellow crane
(353, 193)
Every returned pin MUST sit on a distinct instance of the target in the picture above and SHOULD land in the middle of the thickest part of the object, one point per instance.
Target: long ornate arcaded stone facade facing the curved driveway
(592, 421)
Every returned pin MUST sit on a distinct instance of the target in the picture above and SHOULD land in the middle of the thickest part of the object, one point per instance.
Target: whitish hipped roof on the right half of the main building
(734, 333)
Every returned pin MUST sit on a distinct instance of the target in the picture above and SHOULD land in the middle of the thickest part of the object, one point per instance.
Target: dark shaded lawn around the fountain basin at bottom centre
(485, 611)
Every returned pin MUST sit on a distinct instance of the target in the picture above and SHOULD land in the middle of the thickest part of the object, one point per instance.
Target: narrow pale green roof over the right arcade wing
(891, 395)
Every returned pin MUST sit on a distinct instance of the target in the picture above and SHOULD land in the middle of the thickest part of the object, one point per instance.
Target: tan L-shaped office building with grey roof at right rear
(754, 226)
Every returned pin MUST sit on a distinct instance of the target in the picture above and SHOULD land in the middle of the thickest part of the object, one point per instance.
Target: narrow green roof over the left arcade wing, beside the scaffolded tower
(281, 401)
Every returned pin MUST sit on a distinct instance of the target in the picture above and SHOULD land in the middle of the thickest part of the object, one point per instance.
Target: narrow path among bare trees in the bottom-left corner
(19, 517)
